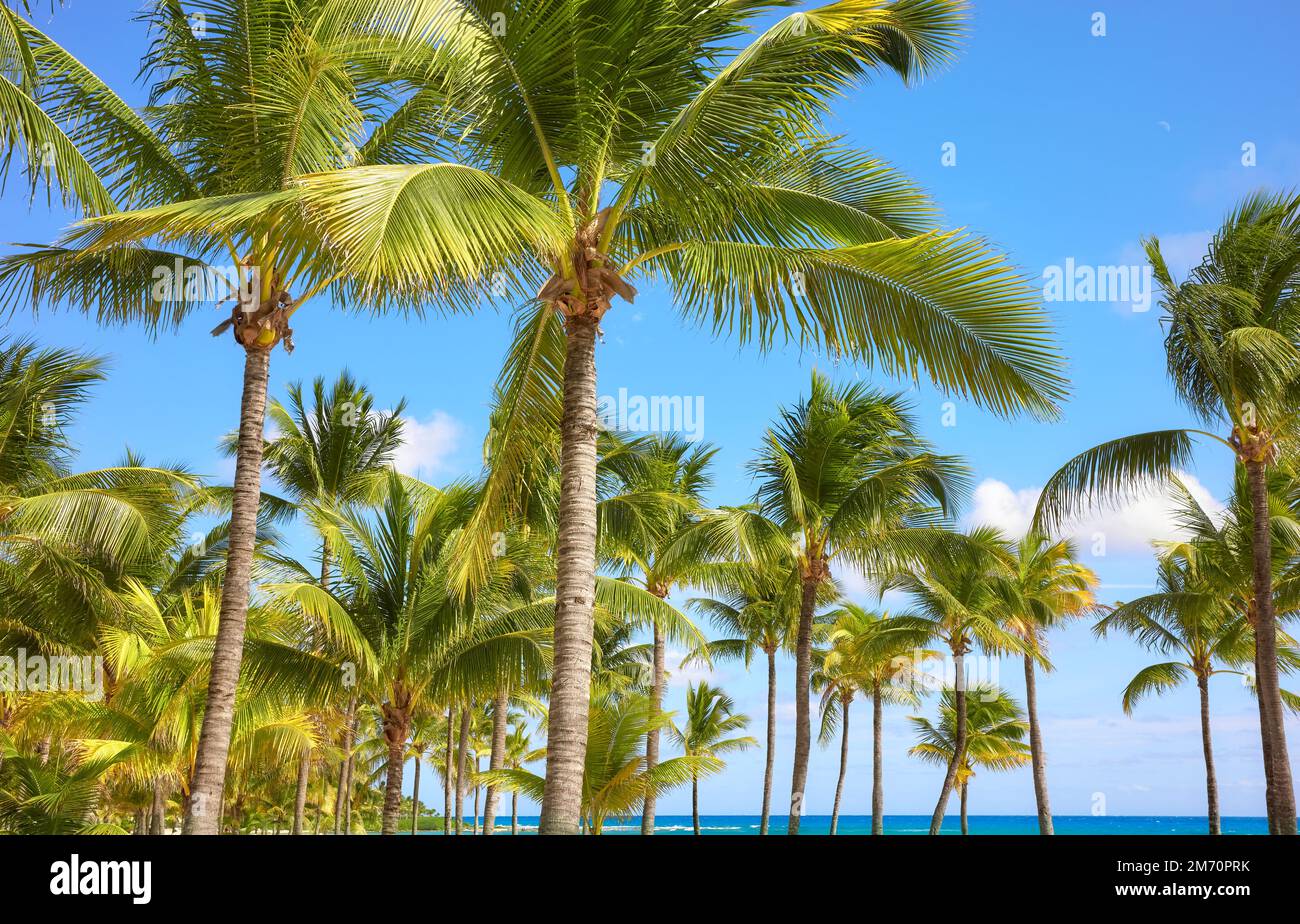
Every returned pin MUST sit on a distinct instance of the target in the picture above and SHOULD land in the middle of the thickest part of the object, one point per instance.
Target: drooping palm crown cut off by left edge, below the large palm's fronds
(68, 539)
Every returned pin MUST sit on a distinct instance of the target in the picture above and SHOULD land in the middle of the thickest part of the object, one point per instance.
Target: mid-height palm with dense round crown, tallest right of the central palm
(850, 480)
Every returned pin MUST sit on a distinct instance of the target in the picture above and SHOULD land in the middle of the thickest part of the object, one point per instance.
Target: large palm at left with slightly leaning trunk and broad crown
(240, 120)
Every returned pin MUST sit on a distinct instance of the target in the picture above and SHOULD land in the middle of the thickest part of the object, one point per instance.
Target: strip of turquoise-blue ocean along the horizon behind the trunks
(920, 825)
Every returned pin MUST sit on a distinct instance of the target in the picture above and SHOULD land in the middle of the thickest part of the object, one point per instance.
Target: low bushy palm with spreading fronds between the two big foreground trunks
(418, 639)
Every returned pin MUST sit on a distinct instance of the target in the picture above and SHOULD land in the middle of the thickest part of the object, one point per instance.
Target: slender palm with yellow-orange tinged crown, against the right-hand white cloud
(1050, 587)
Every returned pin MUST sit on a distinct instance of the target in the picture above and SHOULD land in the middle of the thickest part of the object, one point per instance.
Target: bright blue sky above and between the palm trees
(1068, 146)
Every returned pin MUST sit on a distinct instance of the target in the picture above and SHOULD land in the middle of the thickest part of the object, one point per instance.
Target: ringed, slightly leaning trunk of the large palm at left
(210, 770)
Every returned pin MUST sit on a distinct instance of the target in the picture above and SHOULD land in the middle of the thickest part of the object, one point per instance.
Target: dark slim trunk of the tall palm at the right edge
(1277, 770)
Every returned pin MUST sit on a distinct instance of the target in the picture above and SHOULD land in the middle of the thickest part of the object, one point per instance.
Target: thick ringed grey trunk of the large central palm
(575, 587)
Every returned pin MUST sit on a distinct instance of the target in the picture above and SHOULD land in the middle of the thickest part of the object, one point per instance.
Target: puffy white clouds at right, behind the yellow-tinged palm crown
(1126, 530)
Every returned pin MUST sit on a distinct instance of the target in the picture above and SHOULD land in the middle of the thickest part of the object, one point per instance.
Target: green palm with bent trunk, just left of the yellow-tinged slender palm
(961, 597)
